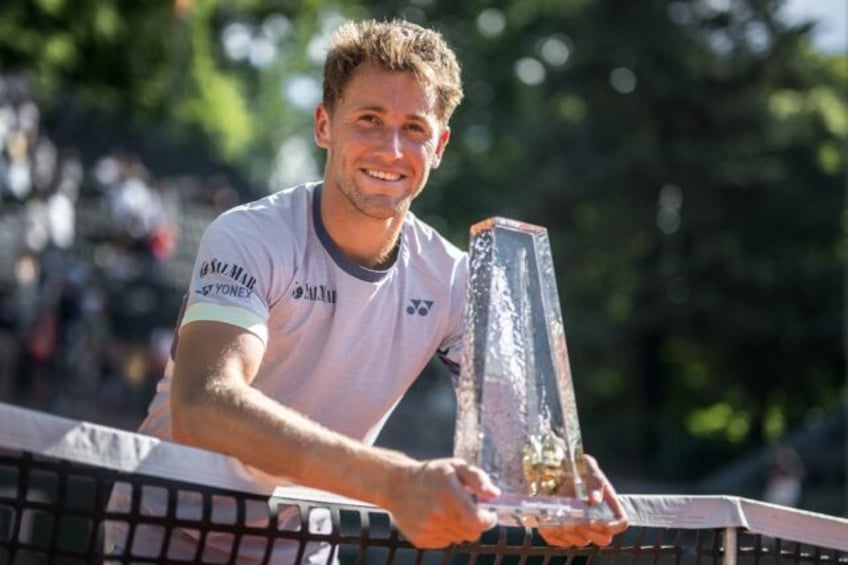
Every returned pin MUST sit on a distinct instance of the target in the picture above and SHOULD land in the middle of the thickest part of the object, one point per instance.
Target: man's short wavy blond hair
(395, 45)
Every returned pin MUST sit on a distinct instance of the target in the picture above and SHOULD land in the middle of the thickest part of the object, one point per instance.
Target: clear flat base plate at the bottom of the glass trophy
(535, 511)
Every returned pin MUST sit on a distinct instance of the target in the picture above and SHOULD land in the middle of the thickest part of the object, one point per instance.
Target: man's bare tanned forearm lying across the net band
(236, 419)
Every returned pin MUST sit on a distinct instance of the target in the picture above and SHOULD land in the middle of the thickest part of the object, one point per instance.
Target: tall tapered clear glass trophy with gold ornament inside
(516, 411)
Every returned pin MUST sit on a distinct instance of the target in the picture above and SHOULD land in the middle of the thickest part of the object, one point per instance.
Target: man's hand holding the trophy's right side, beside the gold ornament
(598, 532)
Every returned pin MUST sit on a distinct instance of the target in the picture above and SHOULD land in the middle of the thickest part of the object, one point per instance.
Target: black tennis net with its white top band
(57, 476)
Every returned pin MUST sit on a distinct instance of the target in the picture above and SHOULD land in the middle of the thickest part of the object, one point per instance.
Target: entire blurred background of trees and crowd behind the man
(688, 158)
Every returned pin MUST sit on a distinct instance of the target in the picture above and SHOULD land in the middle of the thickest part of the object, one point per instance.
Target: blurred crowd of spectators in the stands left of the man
(93, 260)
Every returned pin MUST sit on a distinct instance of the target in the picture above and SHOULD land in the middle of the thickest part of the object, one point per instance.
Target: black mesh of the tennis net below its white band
(53, 511)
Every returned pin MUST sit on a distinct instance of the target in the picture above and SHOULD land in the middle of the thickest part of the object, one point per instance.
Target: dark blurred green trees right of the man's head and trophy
(685, 157)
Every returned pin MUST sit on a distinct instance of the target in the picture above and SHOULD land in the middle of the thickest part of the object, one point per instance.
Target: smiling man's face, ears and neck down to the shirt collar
(383, 136)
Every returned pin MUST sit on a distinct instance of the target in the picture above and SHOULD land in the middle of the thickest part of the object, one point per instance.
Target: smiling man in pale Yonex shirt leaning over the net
(296, 342)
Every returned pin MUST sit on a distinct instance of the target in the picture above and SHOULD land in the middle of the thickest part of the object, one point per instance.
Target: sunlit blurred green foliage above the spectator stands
(148, 62)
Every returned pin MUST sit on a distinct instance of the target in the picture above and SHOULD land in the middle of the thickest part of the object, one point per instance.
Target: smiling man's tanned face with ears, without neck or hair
(382, 138)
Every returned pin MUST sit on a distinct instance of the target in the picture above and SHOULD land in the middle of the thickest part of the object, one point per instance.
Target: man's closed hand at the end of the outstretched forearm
(433, 505)
